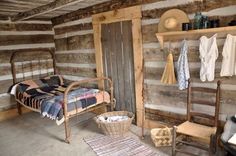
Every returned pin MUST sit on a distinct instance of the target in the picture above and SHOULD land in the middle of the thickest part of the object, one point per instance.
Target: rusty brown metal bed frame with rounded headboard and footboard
(67, 116)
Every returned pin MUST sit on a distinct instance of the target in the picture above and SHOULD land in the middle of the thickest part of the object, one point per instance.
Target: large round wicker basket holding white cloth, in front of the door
(115, 128)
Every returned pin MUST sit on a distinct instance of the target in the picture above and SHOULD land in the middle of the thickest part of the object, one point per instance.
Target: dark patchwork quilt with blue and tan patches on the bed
(46, 96)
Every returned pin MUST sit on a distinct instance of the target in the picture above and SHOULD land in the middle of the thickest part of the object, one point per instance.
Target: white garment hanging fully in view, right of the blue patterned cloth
(208, 55)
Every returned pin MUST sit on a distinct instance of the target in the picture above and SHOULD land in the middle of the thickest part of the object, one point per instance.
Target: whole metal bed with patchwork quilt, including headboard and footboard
(40, 89)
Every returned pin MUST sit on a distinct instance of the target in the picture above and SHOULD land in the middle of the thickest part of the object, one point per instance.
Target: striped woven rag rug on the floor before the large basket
(120, 146)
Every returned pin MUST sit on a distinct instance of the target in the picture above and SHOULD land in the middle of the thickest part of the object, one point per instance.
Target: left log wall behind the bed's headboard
(25, 36)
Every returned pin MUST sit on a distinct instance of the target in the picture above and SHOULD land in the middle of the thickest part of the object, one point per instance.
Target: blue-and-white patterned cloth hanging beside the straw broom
(182, 67)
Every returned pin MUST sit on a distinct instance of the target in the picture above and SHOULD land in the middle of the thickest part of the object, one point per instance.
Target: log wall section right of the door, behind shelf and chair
(166, 102)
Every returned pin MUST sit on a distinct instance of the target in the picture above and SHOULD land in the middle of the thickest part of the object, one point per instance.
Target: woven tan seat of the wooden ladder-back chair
(196, 130)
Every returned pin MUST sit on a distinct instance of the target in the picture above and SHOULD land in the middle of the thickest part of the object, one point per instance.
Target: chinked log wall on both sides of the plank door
(76, 57)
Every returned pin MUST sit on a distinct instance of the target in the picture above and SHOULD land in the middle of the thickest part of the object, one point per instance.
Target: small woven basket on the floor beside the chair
(161, 136)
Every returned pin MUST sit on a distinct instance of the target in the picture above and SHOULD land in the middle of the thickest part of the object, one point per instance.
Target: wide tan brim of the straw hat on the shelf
(179, 15)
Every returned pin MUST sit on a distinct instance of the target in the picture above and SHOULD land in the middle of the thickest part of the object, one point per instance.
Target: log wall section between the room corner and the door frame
(75, 53)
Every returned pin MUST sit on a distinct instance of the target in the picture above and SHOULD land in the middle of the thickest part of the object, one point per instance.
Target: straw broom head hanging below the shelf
(168, 76)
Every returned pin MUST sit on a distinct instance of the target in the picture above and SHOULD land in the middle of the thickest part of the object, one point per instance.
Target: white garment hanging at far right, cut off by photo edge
(228, 67)
